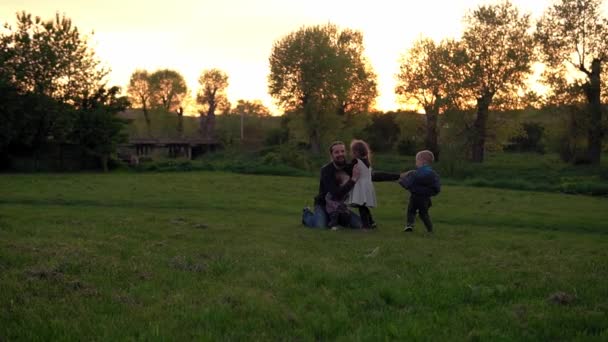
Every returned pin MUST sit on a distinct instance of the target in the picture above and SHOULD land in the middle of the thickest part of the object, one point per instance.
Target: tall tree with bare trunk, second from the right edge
(499, 53)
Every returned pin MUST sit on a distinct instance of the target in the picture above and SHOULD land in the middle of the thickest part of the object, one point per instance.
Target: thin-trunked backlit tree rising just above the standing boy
(427, 77)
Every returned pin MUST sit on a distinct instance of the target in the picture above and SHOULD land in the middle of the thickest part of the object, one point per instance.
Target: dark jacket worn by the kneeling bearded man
(329, 183)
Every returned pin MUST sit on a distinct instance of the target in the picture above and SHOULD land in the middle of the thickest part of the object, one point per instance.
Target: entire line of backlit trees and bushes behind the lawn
(54, 90)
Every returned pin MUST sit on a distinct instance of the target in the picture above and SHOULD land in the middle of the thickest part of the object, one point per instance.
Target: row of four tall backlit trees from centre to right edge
(320, 72)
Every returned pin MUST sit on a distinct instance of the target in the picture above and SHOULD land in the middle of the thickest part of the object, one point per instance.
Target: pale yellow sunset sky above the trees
(237, 35)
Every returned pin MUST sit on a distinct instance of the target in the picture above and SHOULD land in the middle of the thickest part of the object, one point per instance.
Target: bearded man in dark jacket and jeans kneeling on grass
(329, 183)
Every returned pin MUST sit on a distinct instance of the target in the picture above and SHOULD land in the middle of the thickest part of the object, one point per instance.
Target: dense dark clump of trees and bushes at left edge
(52, 91)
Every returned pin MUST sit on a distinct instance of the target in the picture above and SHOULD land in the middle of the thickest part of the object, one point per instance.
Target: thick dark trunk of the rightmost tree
(593, 91)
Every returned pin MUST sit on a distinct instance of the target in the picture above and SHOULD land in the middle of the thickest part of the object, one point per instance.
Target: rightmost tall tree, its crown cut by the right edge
(572, 35)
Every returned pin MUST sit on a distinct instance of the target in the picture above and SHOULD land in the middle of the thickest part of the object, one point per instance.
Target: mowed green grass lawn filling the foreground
(216, 256)
